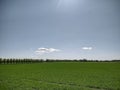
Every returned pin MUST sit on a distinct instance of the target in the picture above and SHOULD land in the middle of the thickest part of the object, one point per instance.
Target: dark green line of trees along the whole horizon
(22, 61)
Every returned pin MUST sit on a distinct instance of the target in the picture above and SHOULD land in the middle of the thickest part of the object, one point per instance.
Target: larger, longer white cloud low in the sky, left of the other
(46, 50)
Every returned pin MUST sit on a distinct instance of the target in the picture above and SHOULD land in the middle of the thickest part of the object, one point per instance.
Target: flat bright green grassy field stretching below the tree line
(60, 76)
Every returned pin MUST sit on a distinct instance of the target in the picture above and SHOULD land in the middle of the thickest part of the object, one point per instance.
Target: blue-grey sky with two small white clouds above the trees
(60, 29)
